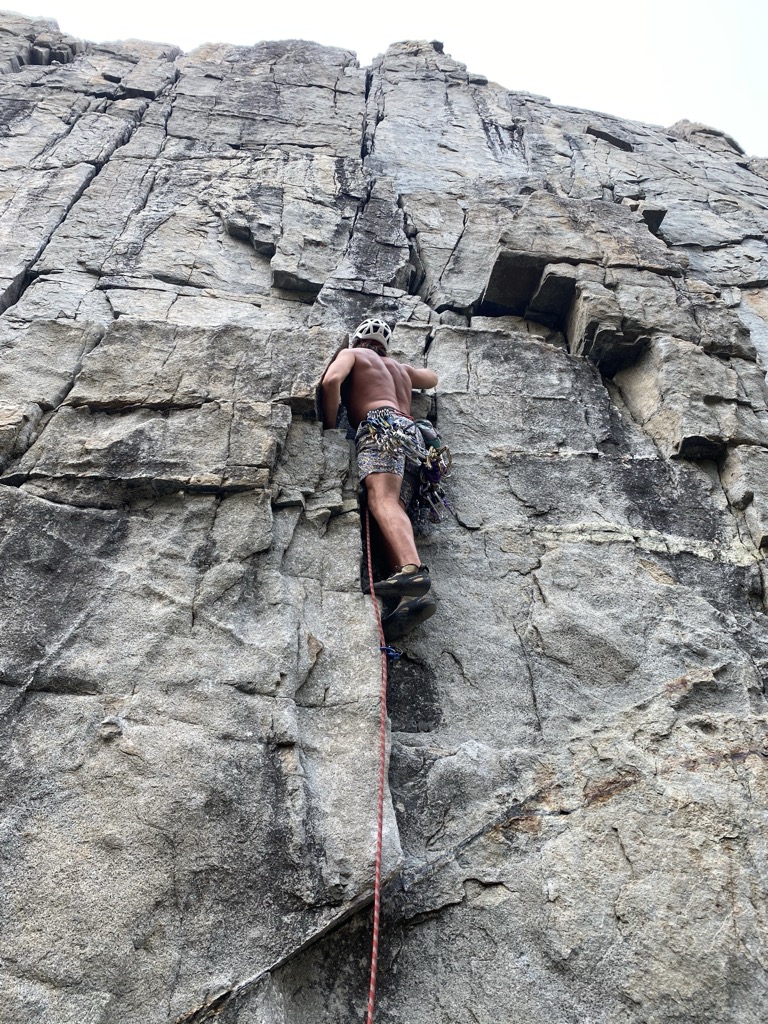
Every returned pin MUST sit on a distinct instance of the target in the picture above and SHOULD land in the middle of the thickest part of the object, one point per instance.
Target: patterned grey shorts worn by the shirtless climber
(390, 443)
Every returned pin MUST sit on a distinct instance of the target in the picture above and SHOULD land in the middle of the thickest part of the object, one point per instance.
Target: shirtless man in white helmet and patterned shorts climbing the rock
(391, 451)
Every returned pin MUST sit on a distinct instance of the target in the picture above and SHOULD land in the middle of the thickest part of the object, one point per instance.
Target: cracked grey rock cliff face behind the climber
(189, 672)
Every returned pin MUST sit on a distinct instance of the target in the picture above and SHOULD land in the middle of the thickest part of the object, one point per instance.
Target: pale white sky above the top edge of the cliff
(656, 62)
